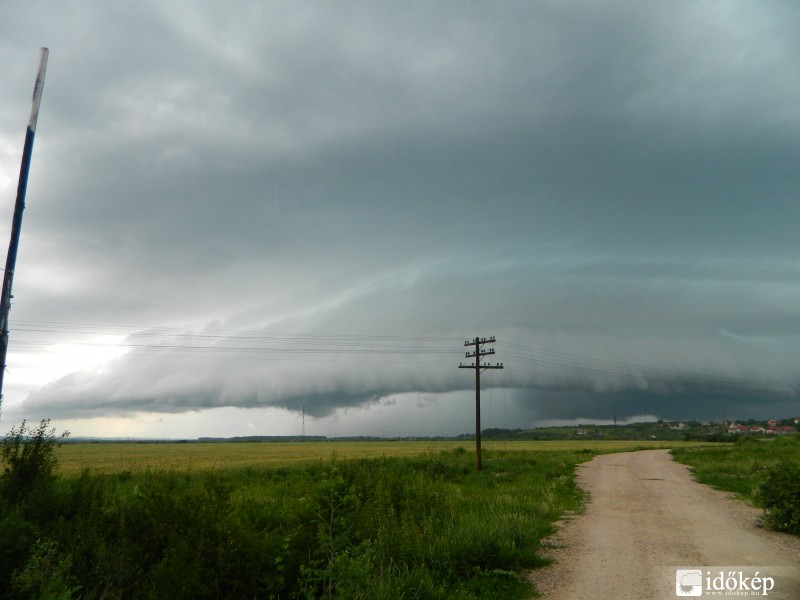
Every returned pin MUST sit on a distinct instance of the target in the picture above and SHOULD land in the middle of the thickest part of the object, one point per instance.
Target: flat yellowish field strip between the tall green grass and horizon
(118, 457)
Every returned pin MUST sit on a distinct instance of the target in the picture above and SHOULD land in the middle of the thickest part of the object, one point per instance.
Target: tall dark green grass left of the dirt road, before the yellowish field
(426, 526)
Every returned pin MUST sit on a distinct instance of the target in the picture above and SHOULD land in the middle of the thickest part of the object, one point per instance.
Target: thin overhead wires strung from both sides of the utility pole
(219, 343)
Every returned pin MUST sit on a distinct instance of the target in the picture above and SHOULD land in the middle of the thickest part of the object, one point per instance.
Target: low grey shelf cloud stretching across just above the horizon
(600, 343)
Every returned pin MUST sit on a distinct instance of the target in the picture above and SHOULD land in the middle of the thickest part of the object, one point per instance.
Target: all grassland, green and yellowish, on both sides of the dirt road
(379, 520)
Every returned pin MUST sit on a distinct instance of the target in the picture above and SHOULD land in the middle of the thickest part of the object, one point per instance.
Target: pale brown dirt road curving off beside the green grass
(645, 519)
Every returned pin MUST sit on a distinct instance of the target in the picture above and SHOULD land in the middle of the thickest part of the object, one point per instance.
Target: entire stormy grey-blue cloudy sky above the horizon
(241, 211)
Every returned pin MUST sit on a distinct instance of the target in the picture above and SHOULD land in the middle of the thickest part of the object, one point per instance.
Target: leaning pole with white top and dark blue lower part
(16, 223)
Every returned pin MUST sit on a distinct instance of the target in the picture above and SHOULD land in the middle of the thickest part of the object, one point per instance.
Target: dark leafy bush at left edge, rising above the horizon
(29, 460)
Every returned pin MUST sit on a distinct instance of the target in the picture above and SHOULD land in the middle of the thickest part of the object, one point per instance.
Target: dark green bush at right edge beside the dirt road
(779, 495)
